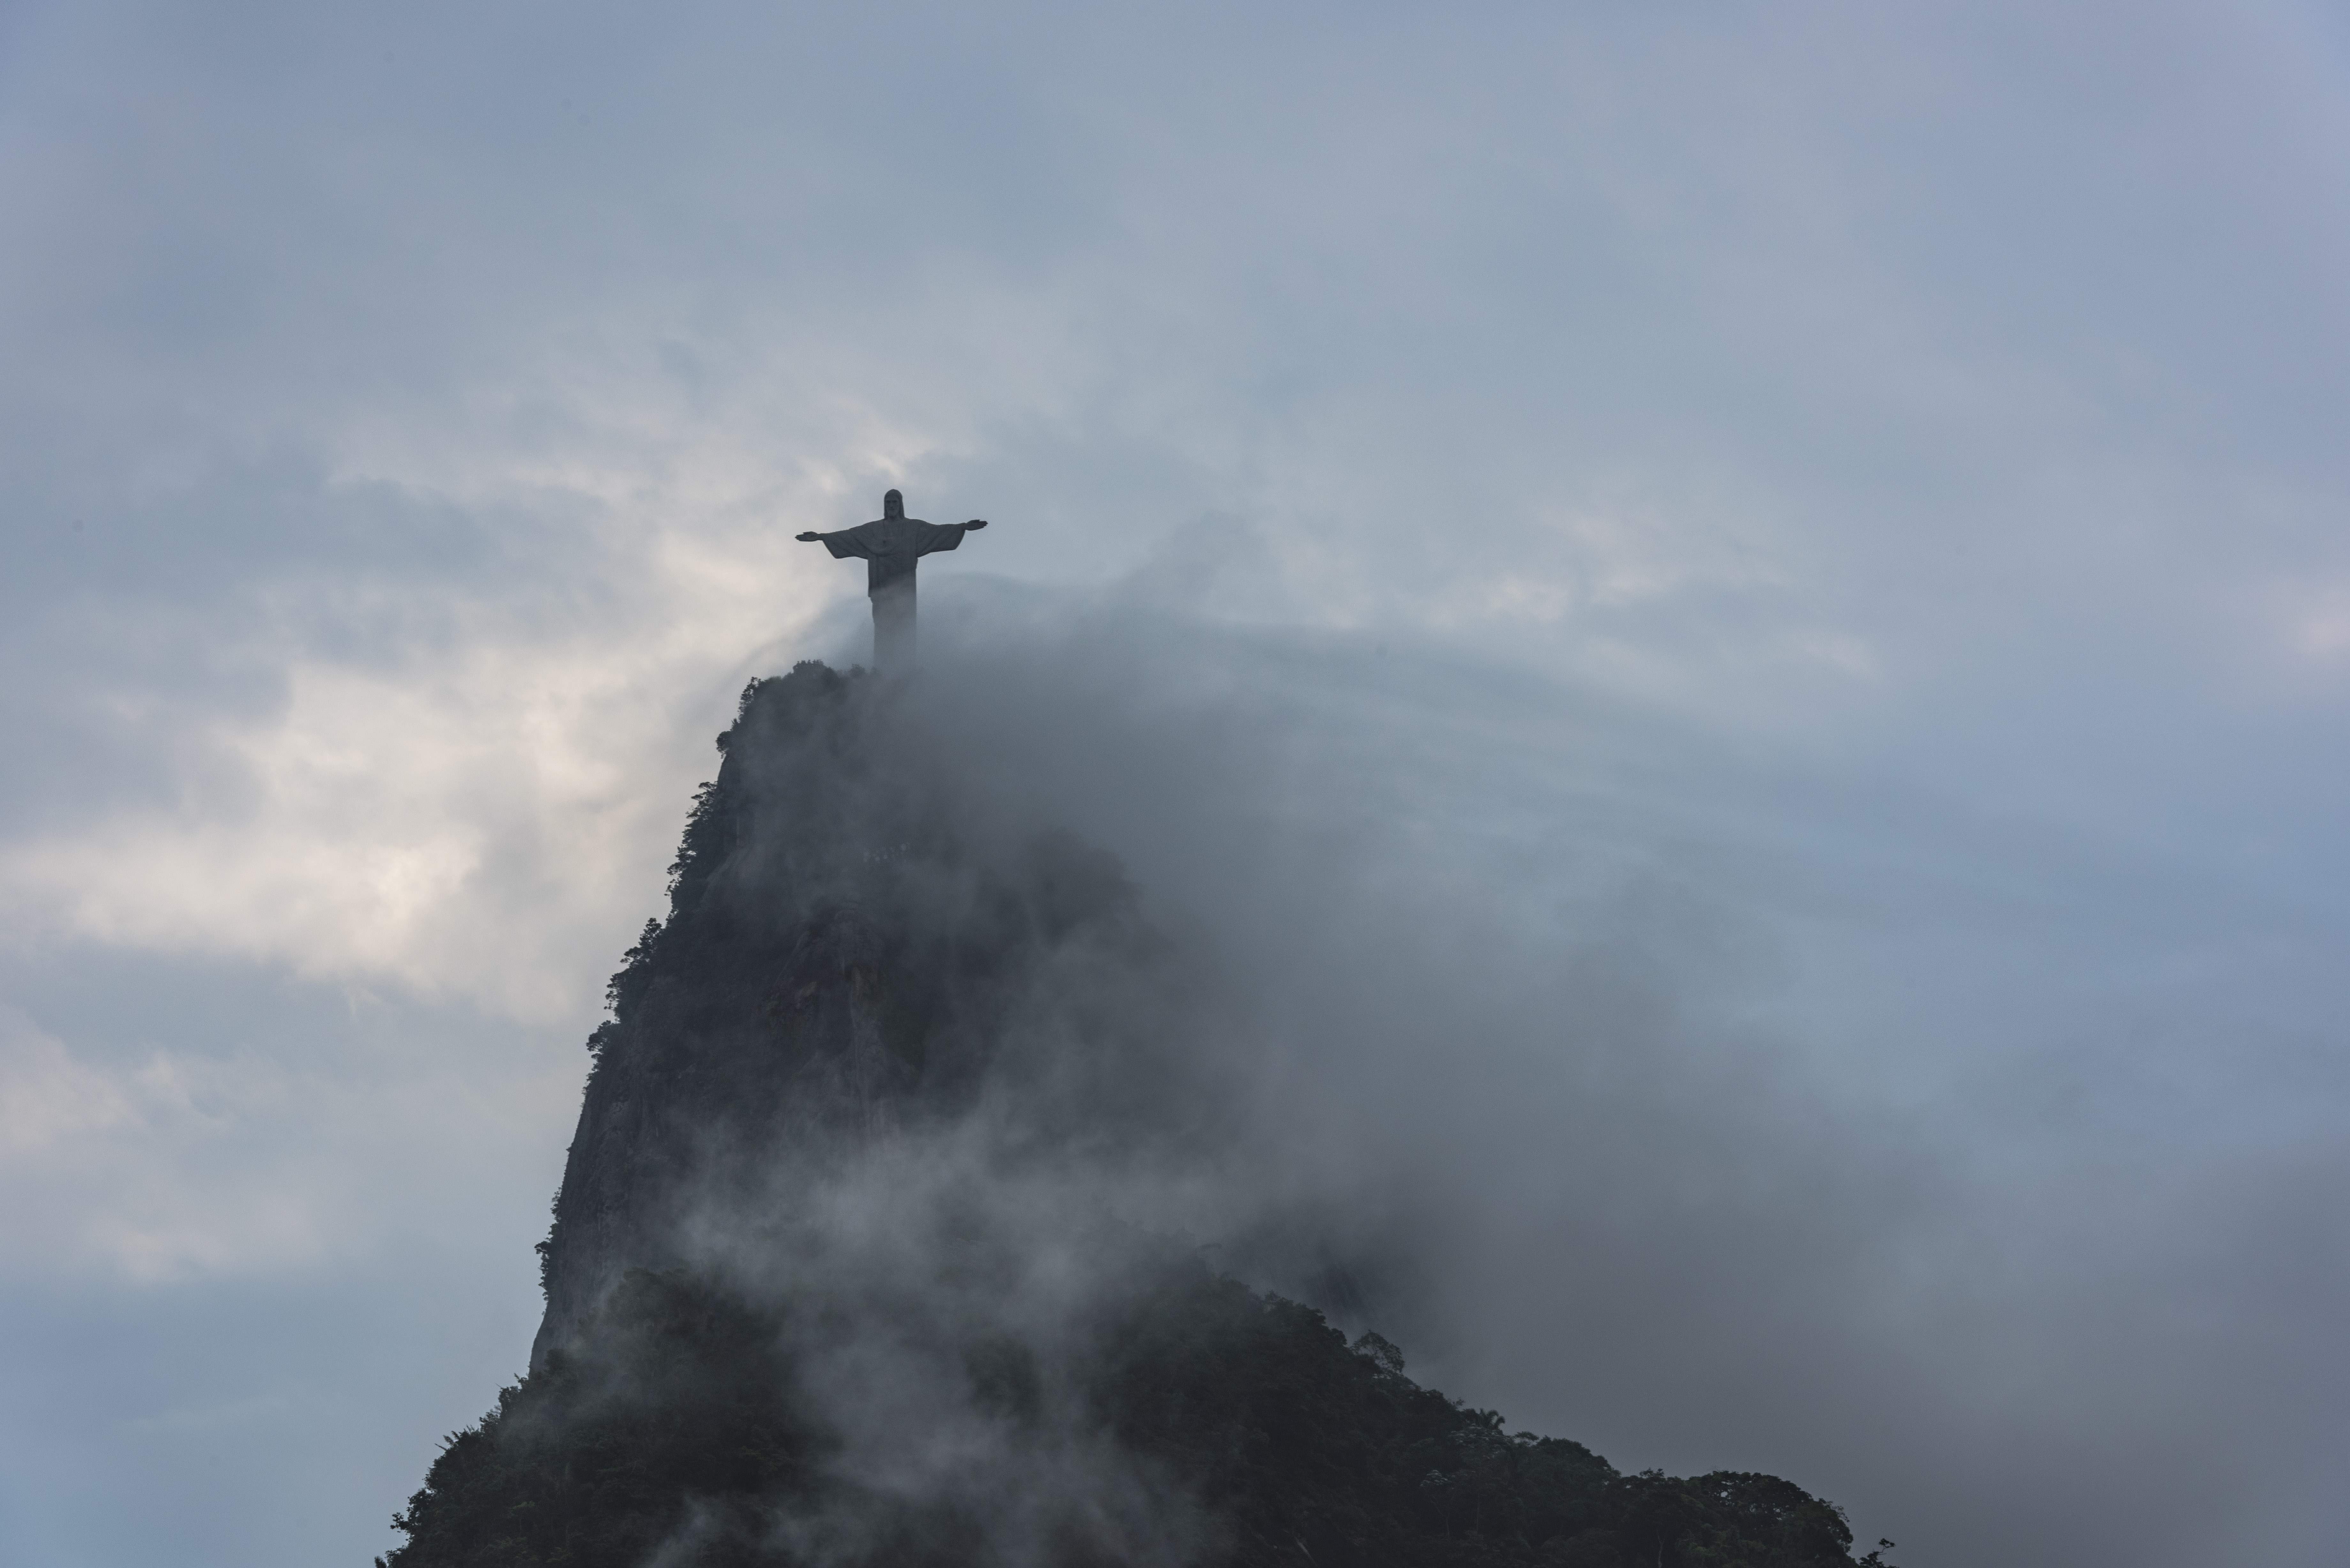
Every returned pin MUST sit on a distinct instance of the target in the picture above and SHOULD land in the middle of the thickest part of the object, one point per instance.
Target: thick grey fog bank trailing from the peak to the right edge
(1717, 1113)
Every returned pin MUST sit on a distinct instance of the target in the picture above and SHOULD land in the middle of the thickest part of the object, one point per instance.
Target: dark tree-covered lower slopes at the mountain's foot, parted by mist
(673, 1423)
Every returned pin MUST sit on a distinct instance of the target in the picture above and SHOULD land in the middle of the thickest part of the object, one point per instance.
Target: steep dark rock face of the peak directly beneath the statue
(847, 958)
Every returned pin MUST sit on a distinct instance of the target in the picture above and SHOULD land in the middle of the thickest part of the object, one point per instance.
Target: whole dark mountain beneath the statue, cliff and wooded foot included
(847, 1261)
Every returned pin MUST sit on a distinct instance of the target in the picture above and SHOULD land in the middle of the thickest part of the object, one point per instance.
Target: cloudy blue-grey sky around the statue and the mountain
(1825, 521)
